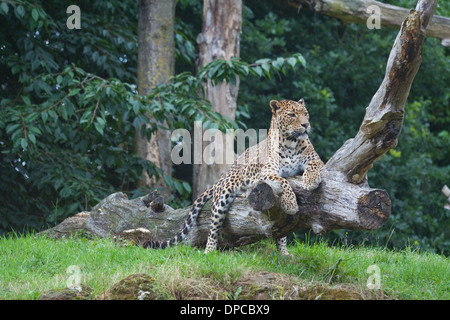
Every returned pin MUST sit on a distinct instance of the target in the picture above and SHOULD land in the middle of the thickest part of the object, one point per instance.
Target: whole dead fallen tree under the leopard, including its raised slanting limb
(344, 199)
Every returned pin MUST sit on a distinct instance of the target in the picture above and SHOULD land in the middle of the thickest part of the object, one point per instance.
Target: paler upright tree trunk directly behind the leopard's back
(219, 39)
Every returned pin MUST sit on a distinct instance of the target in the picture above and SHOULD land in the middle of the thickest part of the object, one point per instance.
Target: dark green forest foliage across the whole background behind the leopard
(70, 107)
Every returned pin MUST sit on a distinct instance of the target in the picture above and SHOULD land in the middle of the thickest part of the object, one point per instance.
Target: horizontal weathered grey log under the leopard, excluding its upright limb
(335, 205)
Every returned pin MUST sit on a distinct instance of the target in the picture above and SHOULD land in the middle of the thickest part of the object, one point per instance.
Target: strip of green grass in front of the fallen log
(30, 265)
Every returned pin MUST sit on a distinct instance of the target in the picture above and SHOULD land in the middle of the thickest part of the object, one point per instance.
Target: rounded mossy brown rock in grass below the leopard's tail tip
(137, 286)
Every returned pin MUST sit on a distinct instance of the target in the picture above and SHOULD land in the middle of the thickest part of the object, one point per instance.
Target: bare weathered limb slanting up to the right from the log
(384, 116)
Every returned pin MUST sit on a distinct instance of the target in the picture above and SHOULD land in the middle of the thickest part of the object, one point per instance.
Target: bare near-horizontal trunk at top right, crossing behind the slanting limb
(355, 11)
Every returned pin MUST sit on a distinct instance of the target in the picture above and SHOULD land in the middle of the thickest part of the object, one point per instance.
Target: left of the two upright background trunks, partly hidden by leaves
(156, 63)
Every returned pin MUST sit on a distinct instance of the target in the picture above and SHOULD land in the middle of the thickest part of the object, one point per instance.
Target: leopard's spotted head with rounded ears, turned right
(291, 118)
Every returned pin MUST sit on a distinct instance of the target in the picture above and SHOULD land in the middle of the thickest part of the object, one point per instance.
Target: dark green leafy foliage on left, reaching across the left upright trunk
(67, 134)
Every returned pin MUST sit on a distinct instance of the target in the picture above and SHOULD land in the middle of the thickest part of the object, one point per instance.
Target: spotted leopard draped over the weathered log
(286, 151)
